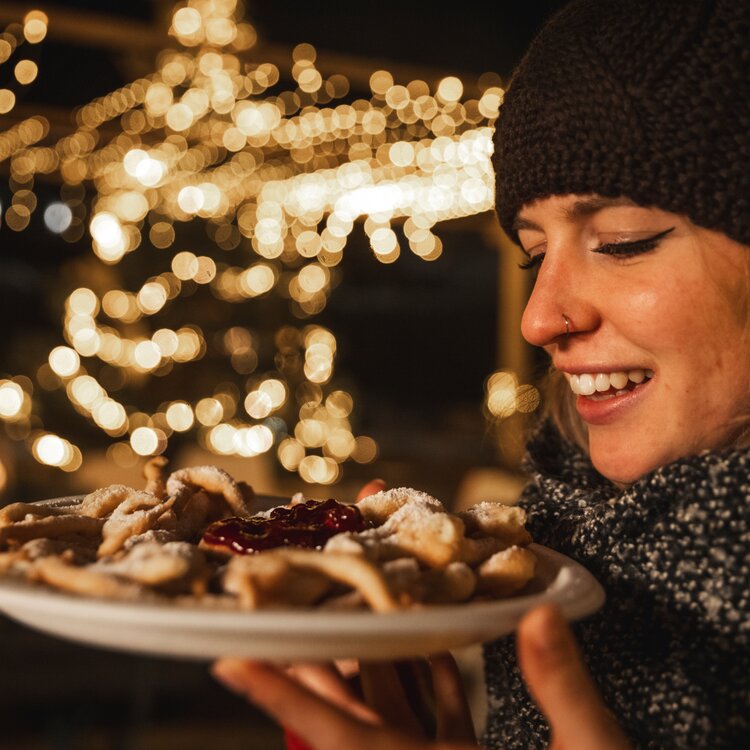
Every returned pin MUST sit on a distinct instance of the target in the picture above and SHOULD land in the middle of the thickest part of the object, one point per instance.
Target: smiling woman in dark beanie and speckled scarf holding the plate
(623, 171)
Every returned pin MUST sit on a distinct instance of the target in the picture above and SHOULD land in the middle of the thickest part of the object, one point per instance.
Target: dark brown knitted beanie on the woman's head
(647, 99)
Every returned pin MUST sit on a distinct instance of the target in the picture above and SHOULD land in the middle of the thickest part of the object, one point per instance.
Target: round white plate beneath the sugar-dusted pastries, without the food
(198, 633)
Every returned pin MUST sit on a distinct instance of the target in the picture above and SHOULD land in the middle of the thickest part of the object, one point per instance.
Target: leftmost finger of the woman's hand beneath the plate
(319, 723)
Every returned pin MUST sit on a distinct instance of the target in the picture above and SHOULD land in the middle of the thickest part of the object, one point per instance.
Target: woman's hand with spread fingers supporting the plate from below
(318, 705)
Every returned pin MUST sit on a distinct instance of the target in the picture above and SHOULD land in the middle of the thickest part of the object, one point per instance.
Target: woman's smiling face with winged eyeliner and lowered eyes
(658, 351)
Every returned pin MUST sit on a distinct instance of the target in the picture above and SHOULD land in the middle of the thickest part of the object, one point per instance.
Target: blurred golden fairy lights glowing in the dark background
(210, 137)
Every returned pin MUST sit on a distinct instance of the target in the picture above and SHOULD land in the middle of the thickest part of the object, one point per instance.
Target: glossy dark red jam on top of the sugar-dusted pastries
(309, 524)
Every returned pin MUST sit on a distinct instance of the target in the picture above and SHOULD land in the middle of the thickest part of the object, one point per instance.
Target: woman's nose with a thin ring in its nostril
(562, 292)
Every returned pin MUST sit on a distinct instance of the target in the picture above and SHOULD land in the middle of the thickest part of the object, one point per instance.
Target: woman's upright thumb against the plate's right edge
(562, 687)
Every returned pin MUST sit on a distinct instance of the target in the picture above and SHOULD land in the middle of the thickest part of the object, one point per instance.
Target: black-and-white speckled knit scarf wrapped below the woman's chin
(670, 651)
